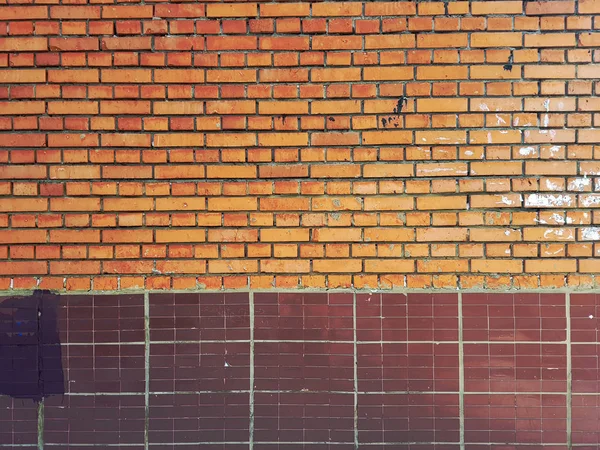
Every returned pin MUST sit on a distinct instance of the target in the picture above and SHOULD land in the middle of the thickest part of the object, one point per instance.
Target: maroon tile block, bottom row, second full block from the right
(389, 418)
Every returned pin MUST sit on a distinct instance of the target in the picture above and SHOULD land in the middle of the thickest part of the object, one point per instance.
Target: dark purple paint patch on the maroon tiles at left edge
(30, 351)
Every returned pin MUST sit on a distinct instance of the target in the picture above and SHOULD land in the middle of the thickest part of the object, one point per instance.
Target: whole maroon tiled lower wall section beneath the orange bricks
(302, 370)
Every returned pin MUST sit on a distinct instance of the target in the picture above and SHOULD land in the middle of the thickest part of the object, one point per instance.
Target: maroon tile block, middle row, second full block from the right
(408, 367)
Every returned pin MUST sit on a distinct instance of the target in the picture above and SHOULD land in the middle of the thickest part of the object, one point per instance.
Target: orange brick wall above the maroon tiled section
(316, 145)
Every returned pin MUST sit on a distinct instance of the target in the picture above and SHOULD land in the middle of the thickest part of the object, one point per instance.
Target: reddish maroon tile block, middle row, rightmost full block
(507, 367)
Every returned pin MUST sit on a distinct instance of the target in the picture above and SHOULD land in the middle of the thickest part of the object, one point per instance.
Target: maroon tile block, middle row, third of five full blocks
(320, 366)
